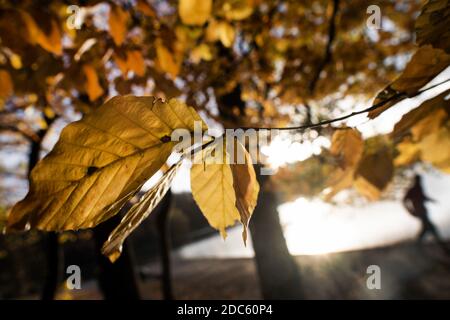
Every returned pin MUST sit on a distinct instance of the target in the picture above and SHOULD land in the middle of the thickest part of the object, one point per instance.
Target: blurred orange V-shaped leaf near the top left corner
(52, 42)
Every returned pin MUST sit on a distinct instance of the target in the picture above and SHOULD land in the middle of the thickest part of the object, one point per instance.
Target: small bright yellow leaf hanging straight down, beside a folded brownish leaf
(213, 191)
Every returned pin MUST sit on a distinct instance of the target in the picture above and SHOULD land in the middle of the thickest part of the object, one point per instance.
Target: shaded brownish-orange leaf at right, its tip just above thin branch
(426, 64)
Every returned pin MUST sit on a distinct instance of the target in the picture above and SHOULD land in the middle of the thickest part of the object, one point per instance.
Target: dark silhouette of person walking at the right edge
(414, 202)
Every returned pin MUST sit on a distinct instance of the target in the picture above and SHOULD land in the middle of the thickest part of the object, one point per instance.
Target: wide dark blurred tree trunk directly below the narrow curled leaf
(116, 280)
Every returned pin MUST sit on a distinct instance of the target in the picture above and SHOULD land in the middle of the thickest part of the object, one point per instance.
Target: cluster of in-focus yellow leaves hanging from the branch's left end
(101, 161)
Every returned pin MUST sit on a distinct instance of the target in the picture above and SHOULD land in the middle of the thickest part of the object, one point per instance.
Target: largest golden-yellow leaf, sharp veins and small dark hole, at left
(99, 162)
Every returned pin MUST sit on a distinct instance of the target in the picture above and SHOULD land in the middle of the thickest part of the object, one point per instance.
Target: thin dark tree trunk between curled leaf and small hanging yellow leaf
(163, 223)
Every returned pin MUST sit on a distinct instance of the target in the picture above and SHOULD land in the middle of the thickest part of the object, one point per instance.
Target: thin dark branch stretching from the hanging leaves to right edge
(374, 107)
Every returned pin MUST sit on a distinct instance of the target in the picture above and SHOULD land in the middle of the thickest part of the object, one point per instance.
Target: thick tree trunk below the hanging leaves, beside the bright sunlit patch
(278, 272)
